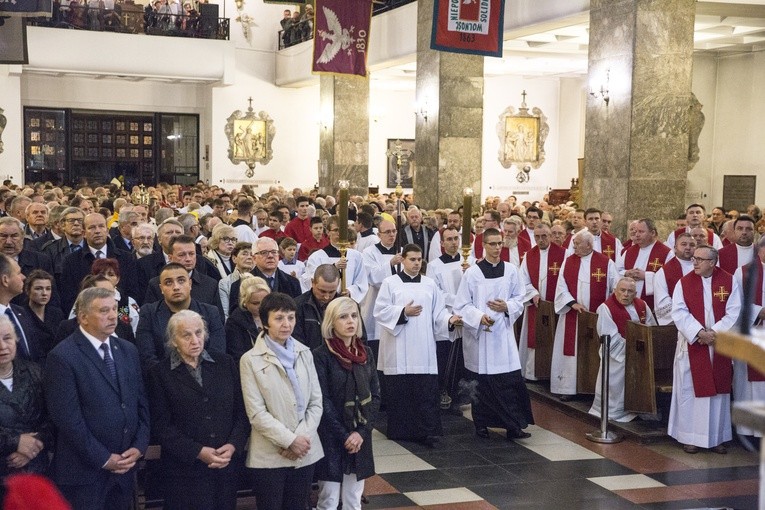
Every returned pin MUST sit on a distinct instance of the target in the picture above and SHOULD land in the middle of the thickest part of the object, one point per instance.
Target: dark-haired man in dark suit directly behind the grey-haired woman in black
(176, 288)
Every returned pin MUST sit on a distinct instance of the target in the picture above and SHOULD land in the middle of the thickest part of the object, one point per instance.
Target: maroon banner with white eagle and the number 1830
(341, 36)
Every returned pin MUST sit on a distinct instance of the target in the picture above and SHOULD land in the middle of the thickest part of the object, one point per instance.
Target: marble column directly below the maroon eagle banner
(344, 133)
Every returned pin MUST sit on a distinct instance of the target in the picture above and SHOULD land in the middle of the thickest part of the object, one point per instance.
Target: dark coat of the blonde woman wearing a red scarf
(332, 430)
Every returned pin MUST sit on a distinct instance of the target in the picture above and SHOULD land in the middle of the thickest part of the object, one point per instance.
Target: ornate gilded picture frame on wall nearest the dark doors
(250, 136)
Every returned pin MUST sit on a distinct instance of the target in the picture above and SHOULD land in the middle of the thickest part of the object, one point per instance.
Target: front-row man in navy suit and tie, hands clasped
(96, 400)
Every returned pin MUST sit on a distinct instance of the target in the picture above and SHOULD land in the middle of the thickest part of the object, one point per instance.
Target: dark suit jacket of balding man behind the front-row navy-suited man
(76, 266)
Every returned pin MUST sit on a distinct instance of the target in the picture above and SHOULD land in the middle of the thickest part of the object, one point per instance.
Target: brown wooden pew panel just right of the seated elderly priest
(650, 352)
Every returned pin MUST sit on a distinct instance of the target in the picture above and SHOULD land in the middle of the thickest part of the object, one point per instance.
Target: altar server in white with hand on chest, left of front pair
(412, 316)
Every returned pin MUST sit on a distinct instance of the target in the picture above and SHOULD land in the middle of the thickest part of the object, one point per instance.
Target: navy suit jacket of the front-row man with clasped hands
(95, 416)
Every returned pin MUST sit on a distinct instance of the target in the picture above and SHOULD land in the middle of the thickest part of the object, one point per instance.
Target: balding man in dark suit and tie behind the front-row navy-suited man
(97, 245)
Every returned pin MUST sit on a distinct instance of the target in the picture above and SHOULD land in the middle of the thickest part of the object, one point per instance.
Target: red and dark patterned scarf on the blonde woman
(357, 397)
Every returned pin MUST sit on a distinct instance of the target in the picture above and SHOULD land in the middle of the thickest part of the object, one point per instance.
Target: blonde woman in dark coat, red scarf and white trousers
(351, 395)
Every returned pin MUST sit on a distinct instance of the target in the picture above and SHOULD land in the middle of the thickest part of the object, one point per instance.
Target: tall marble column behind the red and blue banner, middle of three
(449, 126)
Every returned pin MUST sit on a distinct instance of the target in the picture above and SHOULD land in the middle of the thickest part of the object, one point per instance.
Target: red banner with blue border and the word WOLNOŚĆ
(468, 26)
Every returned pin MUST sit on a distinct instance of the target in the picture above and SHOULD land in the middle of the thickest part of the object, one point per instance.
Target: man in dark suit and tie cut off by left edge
(11, 285)
